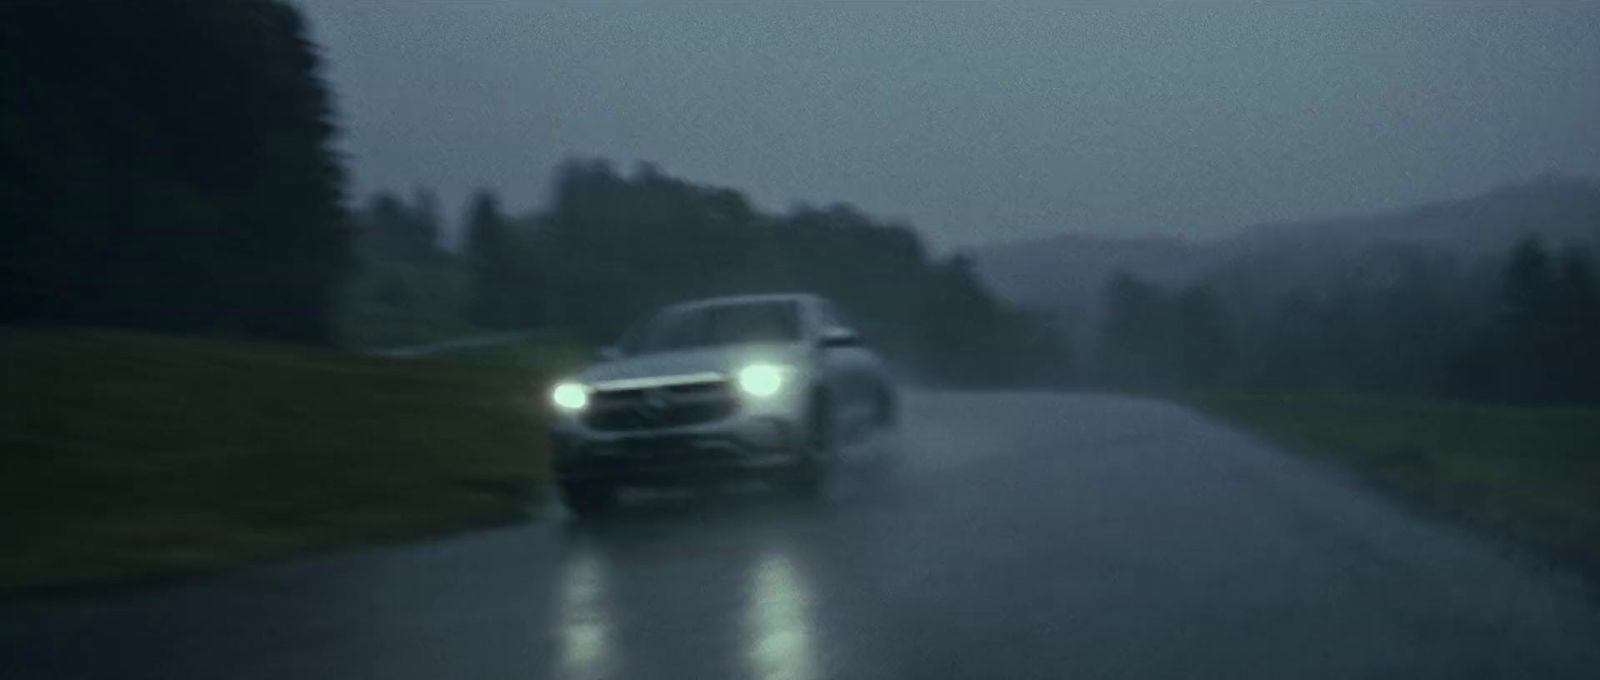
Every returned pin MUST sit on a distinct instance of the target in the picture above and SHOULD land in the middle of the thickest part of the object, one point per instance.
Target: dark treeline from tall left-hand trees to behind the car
(167, 166)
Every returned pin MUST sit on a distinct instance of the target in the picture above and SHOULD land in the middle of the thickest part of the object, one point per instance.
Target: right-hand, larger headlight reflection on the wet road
(778, 622)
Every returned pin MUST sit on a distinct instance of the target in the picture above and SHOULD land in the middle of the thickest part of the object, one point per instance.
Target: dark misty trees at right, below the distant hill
(1522, 329)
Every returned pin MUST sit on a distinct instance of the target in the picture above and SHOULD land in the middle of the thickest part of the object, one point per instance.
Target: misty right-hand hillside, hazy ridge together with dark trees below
(1490, 297)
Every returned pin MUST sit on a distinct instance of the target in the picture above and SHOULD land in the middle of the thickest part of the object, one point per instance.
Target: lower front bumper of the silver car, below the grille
(740, 447)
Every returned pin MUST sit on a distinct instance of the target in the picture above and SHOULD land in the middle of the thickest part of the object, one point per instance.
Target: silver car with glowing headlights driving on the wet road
(748, 388)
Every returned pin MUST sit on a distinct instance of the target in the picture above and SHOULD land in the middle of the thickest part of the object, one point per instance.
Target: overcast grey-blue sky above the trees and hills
(978, 122)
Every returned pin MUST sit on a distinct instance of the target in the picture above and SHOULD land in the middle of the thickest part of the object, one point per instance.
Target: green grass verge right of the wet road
(1535, 471)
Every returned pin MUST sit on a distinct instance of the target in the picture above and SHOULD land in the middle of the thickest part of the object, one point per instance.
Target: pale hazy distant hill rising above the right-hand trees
(1068, 273)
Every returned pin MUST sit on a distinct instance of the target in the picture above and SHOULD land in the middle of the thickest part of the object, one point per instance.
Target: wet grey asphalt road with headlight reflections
(1022, 537)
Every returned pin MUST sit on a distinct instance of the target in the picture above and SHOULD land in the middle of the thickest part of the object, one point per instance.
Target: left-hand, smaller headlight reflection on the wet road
(586, 649)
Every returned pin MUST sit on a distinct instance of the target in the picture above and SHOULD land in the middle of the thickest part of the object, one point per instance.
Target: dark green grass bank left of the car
(134, 457)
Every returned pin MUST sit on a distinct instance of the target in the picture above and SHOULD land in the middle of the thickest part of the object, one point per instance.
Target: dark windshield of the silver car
(716, 326)
